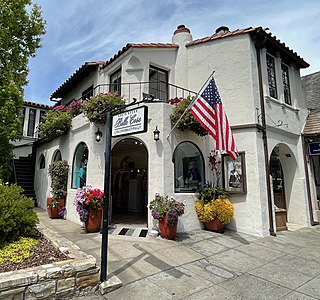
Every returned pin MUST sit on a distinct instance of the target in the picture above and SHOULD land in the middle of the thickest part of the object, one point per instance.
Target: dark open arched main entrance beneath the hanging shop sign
(129, 182)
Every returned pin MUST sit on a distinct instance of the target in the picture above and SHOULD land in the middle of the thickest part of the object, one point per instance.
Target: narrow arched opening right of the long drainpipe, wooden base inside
(278, 187)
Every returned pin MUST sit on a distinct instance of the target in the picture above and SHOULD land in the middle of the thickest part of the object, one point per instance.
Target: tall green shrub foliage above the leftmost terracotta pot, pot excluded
(59, 178)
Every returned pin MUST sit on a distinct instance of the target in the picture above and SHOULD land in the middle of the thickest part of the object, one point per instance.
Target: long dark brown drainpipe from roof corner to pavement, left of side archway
(259, 45)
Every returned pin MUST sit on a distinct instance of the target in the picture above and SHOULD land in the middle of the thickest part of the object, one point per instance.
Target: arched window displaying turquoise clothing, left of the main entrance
(79, 168)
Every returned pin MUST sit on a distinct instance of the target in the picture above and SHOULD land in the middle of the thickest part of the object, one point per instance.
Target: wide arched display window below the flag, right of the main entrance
(188, 168)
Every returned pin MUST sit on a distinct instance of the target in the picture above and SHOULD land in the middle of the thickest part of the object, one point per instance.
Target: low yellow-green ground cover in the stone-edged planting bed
(18, 251)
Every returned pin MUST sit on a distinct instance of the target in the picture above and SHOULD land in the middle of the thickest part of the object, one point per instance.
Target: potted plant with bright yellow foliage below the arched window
(213, 208)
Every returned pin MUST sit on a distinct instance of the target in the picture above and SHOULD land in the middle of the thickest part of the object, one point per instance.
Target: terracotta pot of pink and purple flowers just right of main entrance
(166, 210)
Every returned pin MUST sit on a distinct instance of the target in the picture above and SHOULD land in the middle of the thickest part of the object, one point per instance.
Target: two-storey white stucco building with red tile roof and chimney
(258, 78)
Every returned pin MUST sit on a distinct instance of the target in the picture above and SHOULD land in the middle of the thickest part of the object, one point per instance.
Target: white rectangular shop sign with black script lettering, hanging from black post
(131, 121)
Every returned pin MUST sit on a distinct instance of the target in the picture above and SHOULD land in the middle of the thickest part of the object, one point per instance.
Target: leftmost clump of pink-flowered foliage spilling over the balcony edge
(56, 123)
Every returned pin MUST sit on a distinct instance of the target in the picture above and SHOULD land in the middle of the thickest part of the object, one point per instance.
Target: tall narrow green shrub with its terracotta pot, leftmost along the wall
(59, 177)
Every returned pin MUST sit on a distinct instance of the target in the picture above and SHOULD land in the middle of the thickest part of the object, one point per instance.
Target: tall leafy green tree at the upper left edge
(21, 28)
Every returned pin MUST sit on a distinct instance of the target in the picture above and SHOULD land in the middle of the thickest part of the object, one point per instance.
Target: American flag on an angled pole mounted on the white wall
(207, 109)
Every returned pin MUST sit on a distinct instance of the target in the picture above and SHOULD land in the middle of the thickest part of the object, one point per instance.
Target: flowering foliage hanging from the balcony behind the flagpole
(188, 121)
